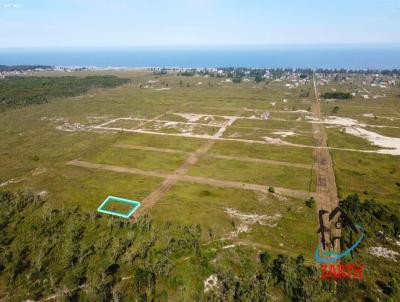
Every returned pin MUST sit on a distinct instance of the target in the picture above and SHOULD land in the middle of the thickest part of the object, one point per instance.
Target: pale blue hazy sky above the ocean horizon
(194, 23)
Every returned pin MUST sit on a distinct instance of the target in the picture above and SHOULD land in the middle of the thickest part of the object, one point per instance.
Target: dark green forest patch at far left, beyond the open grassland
(21, 91)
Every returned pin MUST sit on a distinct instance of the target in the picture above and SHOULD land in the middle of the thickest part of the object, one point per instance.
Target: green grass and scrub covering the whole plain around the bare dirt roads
(54, 242)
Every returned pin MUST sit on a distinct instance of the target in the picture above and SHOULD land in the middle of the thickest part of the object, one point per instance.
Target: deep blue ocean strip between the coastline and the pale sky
(296, 57)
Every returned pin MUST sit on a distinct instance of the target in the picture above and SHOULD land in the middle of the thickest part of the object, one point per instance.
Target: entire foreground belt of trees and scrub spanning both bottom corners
(44, 249)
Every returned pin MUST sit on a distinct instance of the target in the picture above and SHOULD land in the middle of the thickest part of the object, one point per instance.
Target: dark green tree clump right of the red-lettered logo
(382, 228)
